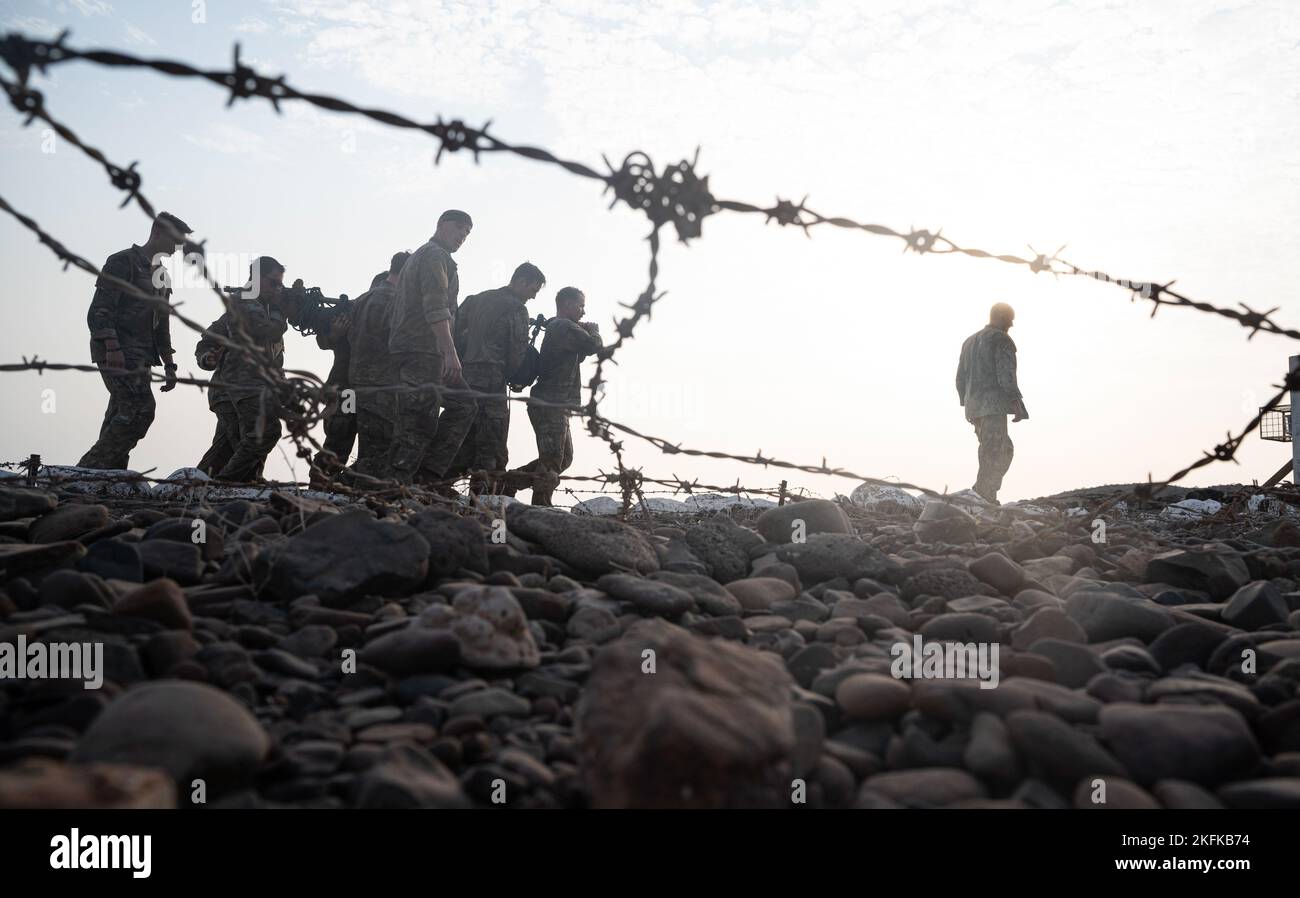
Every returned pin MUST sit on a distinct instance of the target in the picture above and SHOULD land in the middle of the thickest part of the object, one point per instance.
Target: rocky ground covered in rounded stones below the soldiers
(306, 653)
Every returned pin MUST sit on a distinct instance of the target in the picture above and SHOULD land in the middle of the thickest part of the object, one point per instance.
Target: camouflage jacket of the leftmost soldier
(142, 329)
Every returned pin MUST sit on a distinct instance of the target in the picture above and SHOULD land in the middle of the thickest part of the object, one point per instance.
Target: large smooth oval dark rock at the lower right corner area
(1204, 745)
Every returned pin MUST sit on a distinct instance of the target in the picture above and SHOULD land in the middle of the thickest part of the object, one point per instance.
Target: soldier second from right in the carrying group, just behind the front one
(492, 335)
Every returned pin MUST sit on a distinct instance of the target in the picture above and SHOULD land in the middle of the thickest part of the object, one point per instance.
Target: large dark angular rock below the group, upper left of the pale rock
(346, 557)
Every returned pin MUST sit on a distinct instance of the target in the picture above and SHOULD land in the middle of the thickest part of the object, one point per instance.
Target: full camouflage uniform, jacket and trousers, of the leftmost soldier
(144, 335)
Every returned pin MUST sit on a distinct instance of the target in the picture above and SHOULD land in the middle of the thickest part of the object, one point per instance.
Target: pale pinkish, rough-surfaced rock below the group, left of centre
(491, 627)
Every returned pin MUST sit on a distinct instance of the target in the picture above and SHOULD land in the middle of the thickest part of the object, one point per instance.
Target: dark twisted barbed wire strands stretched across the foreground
(677, 196)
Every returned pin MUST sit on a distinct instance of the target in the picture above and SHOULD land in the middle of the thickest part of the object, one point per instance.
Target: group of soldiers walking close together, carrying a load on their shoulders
(421, 380)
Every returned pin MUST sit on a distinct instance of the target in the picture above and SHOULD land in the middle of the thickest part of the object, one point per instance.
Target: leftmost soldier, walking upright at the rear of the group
(129, 335)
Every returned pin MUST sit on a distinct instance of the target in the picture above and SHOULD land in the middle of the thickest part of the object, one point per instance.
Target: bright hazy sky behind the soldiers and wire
(1156, 140)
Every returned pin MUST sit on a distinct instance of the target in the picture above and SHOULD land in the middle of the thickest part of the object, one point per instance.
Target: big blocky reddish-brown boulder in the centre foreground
(710, 727)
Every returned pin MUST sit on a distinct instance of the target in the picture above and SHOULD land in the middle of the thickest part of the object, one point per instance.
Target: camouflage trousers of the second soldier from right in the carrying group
(484, 420)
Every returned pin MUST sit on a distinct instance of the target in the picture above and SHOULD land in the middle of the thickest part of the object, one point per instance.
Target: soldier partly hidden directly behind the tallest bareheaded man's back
(371, 370)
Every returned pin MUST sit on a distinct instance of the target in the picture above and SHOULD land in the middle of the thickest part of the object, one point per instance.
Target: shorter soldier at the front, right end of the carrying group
(569, 341)
